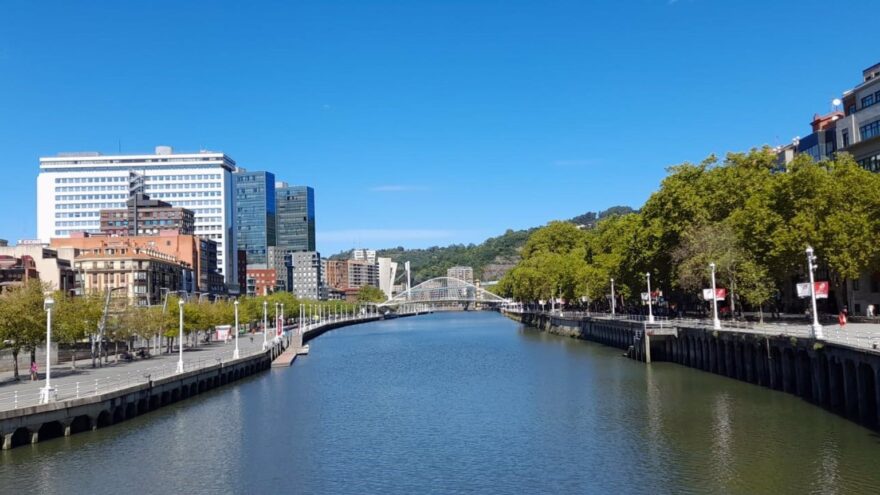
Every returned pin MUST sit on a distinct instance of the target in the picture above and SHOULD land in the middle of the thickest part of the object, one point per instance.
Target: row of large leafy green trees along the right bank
(752, 221)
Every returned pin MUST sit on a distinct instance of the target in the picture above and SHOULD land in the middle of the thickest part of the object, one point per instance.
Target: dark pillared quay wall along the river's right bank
(842, 379)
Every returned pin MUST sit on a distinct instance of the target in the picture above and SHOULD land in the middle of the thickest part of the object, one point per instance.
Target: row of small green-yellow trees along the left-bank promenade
(81, 319)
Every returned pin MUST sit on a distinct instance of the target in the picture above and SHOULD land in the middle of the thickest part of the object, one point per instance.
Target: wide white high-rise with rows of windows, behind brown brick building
(72, 189)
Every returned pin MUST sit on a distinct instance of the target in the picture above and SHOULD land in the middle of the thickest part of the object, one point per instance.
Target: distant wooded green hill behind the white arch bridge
(490, 259)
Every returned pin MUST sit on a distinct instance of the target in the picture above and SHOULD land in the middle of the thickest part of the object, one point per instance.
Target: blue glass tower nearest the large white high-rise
(255, 215)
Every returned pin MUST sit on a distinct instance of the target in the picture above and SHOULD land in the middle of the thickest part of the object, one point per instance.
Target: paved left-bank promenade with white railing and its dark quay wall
(91, 398)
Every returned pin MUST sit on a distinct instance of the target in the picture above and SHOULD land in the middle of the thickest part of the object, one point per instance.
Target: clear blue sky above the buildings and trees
(421, 122)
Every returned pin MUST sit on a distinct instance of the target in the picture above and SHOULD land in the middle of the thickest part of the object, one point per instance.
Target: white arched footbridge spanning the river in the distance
(446, 292)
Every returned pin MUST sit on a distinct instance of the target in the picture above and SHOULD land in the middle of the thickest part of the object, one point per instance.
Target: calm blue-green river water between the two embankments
(464, 403)
